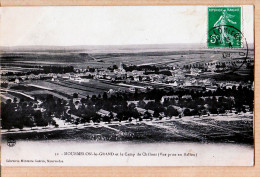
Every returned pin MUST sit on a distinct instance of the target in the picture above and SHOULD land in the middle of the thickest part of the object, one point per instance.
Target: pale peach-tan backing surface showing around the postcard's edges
(150, 171)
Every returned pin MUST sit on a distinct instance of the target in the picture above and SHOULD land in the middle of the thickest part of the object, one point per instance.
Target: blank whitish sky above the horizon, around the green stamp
(118, 25)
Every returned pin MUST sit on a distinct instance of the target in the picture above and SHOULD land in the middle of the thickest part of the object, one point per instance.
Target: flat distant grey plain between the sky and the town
(169, 55)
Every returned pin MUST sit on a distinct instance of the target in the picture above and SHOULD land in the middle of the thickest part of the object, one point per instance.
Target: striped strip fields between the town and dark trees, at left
(63, 89)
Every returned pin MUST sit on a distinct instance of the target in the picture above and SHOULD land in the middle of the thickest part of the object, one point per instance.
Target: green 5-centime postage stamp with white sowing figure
(224, 27)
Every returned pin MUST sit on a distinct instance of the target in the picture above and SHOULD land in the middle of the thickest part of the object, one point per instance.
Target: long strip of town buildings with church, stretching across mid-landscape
(179, 77)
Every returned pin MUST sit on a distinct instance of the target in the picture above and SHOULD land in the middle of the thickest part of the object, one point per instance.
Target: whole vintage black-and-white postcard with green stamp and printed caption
(127, 86)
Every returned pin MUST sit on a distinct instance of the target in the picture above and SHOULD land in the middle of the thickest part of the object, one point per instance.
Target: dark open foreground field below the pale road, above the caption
(217, 129)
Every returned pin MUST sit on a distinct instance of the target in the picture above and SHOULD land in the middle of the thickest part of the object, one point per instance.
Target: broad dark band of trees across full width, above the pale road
(21, 114)
